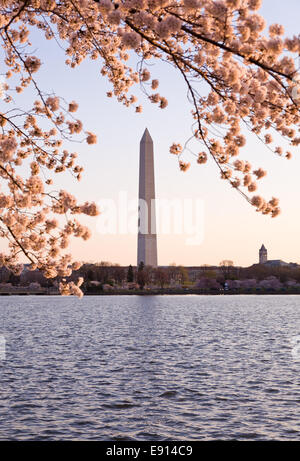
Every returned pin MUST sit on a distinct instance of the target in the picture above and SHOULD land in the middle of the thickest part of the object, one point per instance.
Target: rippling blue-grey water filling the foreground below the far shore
(150, 368)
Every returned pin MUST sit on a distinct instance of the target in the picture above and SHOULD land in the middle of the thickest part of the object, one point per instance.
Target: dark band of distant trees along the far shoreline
(105, 273)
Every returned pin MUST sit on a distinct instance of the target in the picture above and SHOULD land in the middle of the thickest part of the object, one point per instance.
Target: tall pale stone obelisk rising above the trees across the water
(147, 244)
